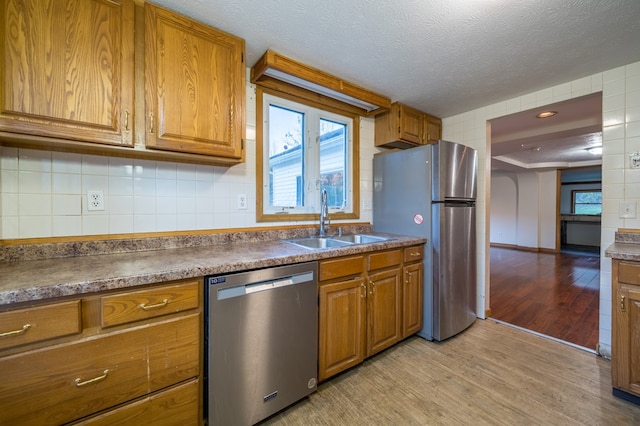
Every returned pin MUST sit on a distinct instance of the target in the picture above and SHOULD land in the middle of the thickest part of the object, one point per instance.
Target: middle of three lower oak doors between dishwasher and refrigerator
(384, 308)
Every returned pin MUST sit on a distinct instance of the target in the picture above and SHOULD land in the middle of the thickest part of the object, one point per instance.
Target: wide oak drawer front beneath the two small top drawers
(66, 382)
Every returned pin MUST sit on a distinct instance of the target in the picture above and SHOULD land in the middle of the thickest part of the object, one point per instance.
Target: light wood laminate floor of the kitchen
(491, 374)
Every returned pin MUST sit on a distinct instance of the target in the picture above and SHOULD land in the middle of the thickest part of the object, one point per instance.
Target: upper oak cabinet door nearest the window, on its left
(195, 86)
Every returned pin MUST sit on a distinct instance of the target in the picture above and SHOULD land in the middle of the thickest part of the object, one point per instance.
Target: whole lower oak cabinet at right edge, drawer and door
(625, 343)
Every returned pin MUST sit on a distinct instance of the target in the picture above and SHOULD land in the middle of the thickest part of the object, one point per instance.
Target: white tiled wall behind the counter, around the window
(43, 194)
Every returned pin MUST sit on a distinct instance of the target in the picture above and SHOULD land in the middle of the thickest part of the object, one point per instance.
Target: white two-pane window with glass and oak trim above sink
(304, 147)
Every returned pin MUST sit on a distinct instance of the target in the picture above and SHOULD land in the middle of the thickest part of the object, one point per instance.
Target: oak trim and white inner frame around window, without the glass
(263, 215)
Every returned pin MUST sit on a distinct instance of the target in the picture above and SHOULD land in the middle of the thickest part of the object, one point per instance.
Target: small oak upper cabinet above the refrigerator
(404, 127)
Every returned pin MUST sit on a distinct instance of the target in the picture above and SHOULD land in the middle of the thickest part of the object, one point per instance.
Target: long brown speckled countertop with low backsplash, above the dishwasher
(36, 273)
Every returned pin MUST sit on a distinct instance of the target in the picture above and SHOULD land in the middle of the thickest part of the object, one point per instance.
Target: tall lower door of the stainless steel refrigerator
(454, 268)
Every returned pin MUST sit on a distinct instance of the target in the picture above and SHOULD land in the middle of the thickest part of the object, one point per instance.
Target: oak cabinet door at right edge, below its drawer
(626, 350)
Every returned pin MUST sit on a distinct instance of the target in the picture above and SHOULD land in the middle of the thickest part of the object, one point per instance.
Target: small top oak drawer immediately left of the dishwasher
(132, 306)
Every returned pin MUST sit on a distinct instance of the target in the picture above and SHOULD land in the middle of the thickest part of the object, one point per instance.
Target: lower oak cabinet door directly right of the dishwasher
(341, 326)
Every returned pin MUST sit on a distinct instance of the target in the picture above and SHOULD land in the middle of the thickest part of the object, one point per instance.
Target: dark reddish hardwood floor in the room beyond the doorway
(555, 294)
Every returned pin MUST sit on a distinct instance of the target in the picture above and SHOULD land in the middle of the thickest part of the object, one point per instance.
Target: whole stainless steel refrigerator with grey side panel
(430, 191)
